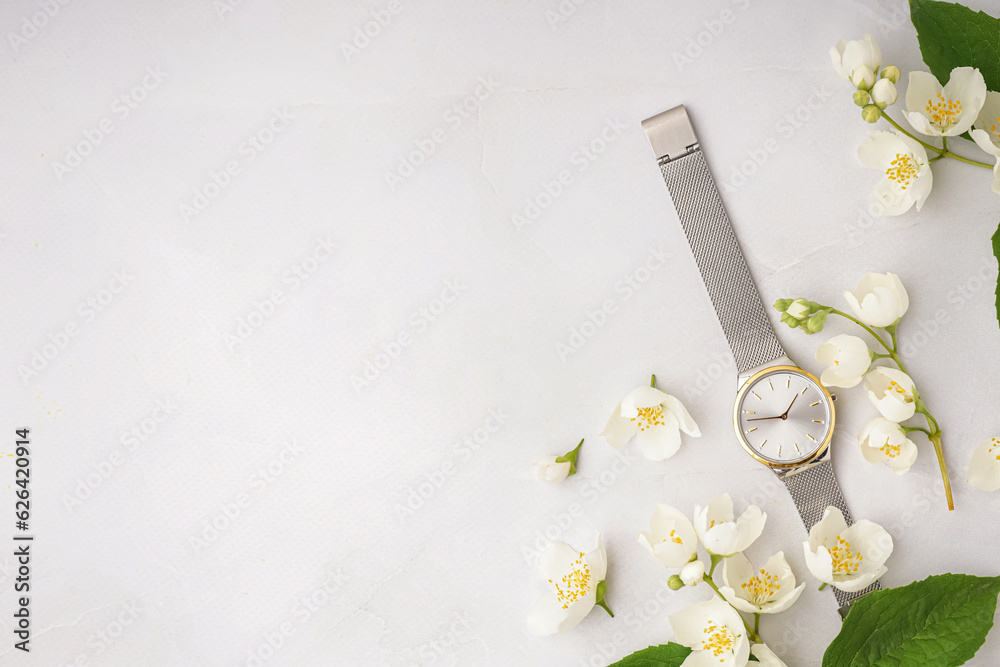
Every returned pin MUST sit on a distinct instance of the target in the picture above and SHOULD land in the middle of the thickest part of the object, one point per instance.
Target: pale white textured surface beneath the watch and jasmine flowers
(386, 534)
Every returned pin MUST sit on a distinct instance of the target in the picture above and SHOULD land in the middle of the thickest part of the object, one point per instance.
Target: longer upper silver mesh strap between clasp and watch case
(717, 253)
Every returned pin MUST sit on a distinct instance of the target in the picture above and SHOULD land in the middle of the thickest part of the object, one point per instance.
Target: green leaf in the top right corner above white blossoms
(951, 36)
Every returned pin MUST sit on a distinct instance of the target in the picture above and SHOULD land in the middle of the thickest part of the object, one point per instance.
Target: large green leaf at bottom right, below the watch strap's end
(938, 622)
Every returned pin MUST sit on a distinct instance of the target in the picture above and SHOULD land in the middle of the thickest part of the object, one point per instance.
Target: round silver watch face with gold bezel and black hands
(784, 416)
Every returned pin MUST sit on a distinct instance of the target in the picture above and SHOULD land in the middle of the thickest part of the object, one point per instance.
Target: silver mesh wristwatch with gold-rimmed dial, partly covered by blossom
(783, 415)
